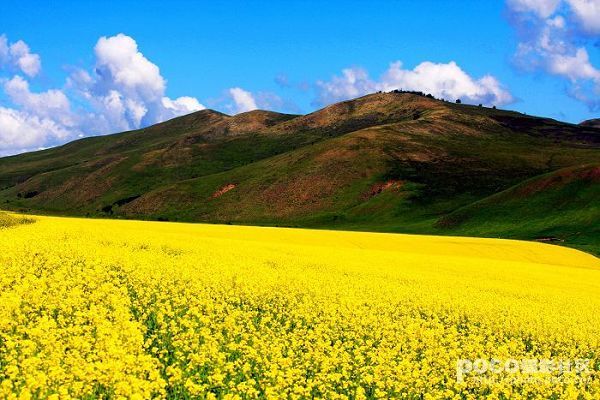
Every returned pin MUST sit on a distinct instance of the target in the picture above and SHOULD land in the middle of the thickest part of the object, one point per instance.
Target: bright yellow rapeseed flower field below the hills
(126, 309)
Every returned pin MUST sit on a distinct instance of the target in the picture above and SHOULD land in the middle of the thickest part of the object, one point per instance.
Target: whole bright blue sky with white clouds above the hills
(234, 56)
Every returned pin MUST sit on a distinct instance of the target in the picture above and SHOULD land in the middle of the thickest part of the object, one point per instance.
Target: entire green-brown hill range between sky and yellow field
(397, 162)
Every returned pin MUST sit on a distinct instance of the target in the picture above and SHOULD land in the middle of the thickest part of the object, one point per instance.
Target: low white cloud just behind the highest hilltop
(446, 81)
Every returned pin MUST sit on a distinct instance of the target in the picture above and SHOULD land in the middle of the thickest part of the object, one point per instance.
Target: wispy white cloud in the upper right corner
(554, 36)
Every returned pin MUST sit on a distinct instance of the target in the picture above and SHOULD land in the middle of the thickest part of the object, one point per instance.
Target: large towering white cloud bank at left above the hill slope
(124, 90)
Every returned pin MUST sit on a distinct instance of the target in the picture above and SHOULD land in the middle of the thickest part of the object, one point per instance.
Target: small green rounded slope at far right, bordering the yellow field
(562, 207)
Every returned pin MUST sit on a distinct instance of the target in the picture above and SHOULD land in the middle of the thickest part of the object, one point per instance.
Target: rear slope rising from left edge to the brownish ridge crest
(88, 175)
